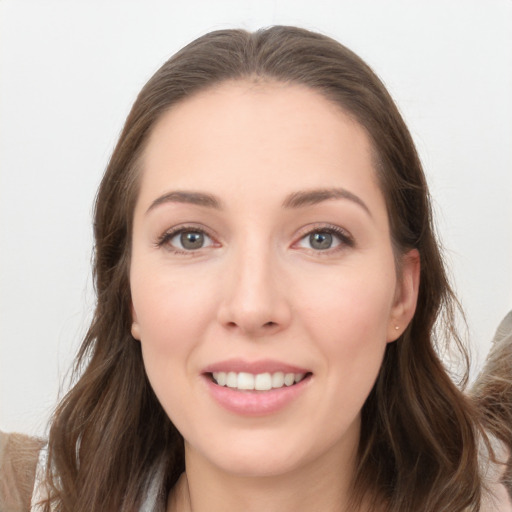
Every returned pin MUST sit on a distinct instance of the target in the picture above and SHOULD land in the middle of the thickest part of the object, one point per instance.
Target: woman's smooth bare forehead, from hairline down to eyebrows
(266, 137)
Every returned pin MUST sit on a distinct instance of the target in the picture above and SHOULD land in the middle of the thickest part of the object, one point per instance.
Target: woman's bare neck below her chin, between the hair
(322, 485)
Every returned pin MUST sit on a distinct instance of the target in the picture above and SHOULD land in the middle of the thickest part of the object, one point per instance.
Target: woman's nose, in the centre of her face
(254, 299)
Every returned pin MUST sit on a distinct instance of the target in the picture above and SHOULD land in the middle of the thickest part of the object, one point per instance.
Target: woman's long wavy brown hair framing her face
(418, 445)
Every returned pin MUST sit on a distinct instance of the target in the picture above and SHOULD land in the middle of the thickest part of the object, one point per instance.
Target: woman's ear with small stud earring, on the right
(406, 295)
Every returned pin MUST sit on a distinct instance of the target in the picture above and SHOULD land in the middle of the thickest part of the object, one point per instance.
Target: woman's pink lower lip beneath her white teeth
(255, 403)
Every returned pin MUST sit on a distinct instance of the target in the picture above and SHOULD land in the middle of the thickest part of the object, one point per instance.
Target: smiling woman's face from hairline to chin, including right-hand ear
(262, 259)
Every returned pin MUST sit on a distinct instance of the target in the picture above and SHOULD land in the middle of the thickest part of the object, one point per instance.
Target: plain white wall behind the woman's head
(69, 71)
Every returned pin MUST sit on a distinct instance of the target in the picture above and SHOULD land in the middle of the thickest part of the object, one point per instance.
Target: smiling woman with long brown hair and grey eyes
(268, 281)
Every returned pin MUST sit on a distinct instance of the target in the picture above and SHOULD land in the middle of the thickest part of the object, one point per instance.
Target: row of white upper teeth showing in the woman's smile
(258, 382)
